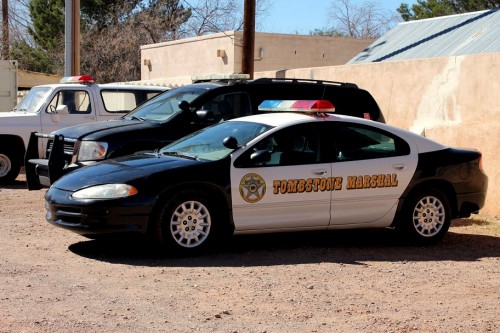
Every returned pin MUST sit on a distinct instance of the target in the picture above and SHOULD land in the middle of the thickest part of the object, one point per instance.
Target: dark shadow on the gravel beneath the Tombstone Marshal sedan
(346, 246)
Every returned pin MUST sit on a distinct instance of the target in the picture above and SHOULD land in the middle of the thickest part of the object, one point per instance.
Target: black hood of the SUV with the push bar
(92, 131)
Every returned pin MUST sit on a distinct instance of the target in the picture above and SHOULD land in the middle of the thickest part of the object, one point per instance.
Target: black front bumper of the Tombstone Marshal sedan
(95, 217)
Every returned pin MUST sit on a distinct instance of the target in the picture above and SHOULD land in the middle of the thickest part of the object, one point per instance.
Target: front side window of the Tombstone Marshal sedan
(296, 145)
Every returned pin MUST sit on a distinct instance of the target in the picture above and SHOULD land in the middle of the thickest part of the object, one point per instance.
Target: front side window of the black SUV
(229, 106)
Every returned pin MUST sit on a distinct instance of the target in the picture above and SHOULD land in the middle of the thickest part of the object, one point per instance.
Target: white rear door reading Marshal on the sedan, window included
(375, 167)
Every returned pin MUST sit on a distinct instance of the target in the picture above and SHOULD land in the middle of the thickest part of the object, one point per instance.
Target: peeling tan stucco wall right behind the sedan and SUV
(453, 100)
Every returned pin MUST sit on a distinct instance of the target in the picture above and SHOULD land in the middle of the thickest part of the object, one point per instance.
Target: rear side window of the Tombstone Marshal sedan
(355, 142)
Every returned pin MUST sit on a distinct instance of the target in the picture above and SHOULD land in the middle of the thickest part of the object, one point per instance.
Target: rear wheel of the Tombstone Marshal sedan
(426, 217)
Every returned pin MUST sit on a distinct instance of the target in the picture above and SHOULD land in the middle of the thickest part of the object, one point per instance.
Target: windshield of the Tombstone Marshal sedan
(207, 144)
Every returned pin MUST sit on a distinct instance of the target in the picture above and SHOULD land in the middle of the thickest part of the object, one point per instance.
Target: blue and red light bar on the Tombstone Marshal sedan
(311, 106)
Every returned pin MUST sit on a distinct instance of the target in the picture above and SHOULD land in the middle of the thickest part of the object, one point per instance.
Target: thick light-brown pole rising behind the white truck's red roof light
(72, 38)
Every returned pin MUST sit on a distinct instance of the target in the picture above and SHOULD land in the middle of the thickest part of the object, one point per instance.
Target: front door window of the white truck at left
(76, 101)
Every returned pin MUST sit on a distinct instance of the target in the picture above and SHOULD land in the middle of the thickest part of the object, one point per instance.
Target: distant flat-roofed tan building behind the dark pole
(180, 60)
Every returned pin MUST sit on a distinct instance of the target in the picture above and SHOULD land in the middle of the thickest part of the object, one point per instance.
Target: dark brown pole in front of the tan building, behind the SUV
(247, 60)
